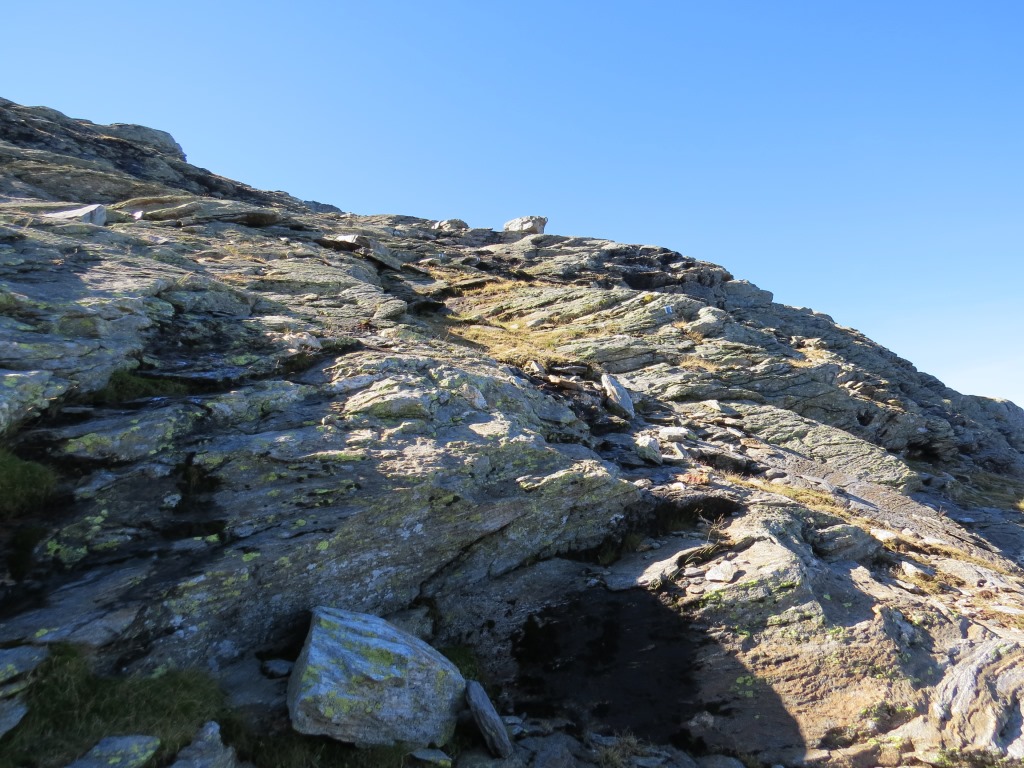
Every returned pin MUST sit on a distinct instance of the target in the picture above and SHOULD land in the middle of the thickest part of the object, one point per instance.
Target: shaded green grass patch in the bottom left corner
(71, 709)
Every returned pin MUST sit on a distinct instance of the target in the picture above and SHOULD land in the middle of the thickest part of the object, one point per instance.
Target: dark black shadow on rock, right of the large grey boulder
(625, 662)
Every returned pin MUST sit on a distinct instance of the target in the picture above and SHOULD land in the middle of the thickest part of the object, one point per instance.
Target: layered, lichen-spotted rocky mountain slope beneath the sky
(646, 495)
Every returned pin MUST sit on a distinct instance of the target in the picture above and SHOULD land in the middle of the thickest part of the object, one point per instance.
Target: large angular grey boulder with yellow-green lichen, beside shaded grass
(361, 680)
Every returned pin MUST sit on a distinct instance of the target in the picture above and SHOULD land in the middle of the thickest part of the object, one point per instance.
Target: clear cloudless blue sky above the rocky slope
(862, 158)
